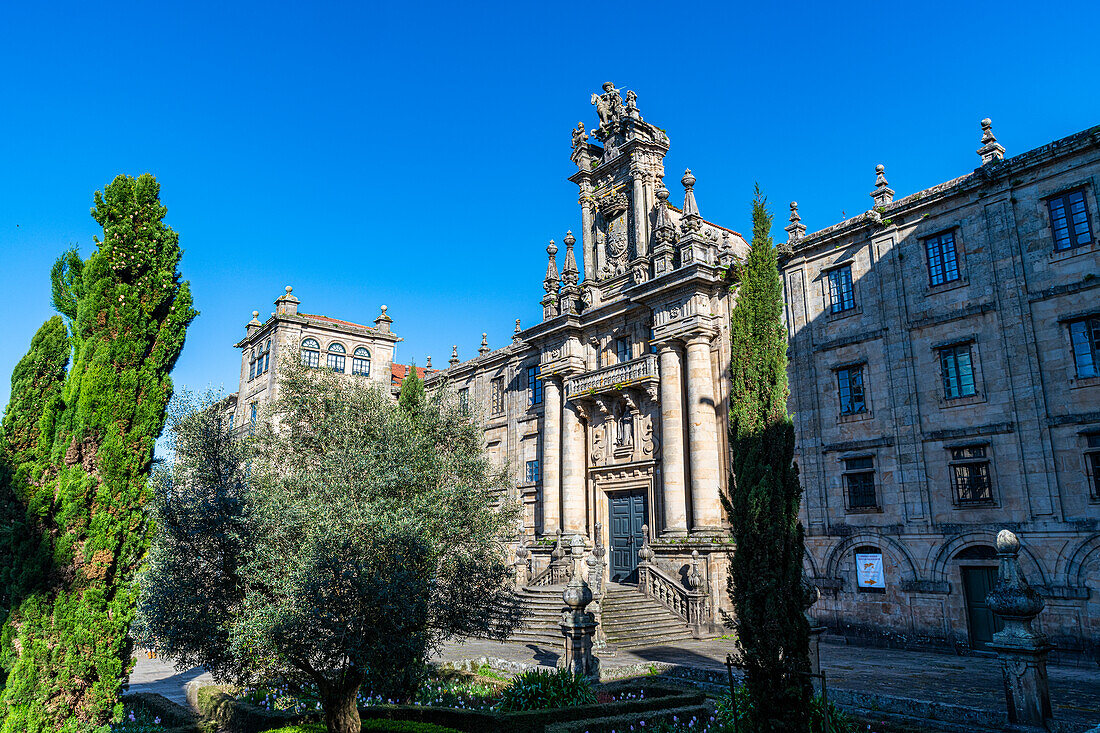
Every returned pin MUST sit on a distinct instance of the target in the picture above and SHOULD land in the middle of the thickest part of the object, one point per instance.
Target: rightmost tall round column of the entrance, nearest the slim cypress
(702, 437)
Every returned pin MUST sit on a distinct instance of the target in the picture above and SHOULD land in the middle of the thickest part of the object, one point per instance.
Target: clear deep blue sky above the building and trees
(417, 155)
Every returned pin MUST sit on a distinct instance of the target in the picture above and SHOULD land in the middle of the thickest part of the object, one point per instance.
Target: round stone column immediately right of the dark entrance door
(673, 444)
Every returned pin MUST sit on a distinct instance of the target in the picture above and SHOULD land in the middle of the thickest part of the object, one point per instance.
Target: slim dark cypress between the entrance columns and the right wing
(765, 579)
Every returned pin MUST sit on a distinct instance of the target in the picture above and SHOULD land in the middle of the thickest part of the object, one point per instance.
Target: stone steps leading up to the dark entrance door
(630, 619)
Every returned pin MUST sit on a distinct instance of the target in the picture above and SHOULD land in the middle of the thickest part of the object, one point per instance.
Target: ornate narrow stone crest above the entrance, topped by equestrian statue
(619, 180)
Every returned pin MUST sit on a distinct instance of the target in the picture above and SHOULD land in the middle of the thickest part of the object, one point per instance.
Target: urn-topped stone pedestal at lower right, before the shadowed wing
(1022, 651)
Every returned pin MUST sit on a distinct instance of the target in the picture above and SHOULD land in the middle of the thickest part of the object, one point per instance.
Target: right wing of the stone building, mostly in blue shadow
(938, 400)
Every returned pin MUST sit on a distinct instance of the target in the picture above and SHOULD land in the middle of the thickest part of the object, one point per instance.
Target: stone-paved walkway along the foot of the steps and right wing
(974, 682)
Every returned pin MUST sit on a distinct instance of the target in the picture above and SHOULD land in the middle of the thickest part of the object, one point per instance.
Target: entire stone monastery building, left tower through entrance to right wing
(927, 398)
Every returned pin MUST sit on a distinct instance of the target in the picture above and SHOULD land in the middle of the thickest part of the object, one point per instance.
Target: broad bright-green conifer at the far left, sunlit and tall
(69, 639)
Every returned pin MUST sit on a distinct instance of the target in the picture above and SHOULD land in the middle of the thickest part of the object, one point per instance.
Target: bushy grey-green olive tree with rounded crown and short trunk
(370, 538)
